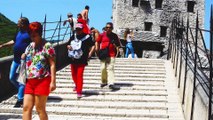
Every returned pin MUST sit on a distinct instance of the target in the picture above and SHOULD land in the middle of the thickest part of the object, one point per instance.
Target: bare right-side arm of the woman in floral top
(53, 73)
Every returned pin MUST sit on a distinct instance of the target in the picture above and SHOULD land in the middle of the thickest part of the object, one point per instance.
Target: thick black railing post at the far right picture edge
(211, 72)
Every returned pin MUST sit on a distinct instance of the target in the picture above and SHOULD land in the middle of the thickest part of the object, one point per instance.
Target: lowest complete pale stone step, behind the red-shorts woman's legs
(94, 112)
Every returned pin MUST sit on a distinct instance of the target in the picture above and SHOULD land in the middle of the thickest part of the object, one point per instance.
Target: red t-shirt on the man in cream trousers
(104, 40)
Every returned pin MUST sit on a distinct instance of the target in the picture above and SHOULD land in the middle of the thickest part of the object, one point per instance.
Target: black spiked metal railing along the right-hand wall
(187, 43)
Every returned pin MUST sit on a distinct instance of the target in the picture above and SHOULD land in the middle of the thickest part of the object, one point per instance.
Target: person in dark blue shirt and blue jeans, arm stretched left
(21, 41)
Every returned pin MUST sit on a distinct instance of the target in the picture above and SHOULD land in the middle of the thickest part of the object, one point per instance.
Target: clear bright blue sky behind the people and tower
(100, 10)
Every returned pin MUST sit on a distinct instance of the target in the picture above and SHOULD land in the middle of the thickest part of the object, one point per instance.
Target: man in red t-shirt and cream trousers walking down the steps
(111, 40)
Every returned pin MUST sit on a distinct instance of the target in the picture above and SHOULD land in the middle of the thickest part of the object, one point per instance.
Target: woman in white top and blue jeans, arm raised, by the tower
(128, 36)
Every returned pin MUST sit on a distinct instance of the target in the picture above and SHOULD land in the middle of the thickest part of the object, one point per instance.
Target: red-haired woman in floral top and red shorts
(41, 72)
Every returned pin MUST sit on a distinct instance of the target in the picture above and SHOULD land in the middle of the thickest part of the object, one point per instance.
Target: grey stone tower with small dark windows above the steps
(150, 21)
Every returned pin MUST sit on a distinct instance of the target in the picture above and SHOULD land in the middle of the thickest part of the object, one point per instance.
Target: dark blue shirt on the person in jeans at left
(21, 42)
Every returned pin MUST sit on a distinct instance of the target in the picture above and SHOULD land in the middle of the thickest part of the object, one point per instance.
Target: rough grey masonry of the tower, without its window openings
(127, 16)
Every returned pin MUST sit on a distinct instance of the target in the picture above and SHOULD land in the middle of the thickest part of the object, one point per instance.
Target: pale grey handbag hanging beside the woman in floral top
(22, 76)
